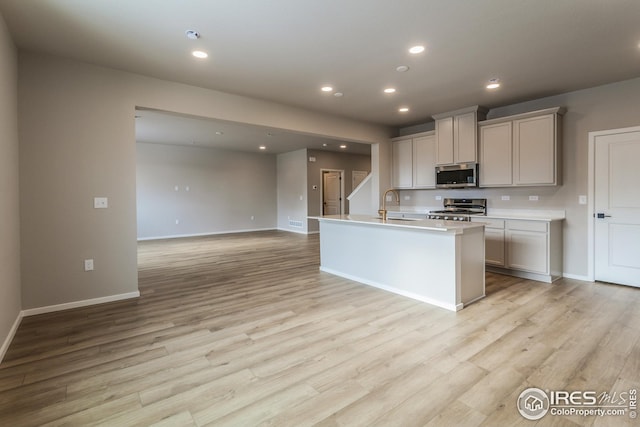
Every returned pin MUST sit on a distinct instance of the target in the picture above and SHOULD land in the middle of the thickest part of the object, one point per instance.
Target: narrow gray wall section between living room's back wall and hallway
(292, 191)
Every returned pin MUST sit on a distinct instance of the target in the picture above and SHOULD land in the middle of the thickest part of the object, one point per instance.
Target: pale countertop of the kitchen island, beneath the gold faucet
(421, 224)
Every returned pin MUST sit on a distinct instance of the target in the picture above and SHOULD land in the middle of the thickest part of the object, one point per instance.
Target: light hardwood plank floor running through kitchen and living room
(243, 330)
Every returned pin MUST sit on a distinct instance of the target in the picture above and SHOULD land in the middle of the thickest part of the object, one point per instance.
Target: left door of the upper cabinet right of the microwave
(495, 155)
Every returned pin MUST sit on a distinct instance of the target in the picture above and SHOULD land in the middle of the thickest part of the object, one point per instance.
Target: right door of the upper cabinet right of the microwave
(534, 151)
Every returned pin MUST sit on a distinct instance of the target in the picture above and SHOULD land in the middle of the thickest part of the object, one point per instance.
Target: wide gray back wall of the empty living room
(225, 190)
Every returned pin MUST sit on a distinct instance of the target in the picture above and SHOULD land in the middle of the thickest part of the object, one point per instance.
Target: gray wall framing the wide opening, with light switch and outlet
(77, 141)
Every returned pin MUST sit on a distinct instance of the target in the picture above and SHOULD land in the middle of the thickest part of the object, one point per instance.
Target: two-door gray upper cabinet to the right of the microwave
(521, 150)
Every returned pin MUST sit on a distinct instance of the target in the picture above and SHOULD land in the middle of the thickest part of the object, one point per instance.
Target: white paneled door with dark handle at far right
(617, 208)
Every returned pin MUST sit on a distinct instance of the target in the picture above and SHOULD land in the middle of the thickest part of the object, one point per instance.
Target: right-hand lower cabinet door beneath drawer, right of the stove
(527, 250)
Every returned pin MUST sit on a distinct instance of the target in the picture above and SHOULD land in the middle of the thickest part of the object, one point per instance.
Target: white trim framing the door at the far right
(591, 182)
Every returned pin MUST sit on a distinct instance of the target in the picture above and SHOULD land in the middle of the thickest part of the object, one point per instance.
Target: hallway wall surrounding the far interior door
(330, 160)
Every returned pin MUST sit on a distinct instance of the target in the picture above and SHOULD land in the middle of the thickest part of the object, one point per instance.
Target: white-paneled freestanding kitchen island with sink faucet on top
(434, 261)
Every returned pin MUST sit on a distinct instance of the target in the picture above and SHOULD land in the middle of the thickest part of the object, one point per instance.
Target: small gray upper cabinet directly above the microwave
(457, 135)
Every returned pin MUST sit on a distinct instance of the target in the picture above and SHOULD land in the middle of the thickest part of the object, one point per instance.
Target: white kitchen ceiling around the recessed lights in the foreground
(285, 50)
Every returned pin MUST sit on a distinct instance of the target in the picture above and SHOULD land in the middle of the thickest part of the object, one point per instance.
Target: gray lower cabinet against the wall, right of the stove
(531, 249)
